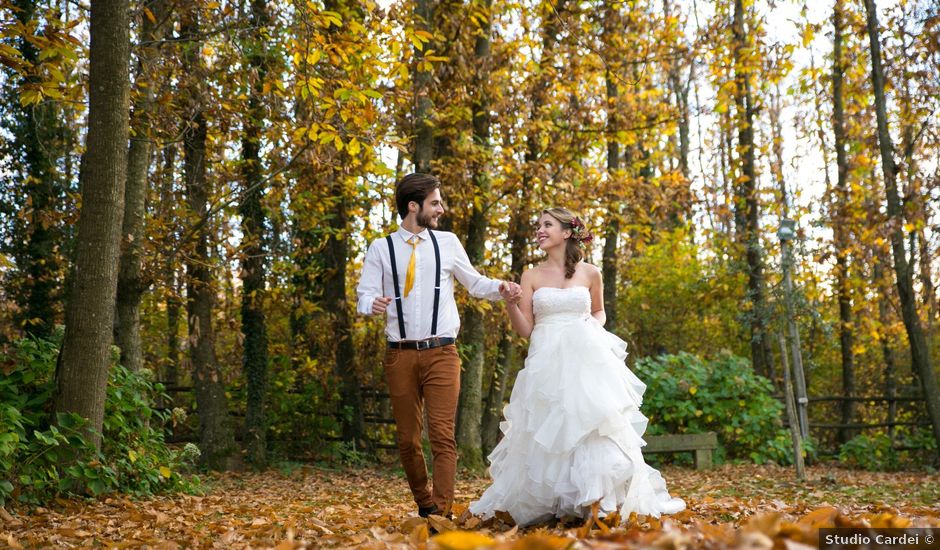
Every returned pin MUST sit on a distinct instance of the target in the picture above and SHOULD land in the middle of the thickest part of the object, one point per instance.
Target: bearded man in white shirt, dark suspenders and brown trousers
(409, 276)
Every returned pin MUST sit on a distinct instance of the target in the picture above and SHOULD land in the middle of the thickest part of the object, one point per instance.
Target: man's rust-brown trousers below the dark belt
(418, 380)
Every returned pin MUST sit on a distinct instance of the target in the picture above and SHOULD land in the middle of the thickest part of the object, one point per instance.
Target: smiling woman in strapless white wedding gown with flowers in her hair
(572, 434)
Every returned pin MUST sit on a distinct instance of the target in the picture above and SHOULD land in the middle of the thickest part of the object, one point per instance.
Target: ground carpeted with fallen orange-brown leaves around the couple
(310, 507)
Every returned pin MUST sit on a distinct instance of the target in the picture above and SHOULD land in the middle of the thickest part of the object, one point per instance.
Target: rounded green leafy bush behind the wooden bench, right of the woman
(686, 394)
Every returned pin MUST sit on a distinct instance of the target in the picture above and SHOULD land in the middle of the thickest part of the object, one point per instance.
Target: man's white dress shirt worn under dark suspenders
(418, 306)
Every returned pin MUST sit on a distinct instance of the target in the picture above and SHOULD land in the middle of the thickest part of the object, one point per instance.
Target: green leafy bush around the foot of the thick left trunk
(40, 459)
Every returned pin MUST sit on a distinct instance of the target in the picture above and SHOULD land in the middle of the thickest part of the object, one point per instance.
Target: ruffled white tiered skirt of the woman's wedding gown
(572, 432)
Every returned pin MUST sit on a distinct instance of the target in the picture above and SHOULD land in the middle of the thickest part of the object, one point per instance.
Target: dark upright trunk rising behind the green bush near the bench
(747, 199)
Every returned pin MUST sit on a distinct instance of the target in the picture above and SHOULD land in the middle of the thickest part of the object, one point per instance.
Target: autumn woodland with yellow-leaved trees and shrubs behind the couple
(195, 183)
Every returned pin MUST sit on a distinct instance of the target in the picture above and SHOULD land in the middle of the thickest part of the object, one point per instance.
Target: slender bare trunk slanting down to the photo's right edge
(920, 358)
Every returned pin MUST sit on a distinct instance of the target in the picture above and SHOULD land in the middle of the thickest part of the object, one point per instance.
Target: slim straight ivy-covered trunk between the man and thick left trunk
(254, 330)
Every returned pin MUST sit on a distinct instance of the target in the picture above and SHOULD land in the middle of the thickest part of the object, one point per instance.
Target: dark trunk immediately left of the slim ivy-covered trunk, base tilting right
(216, 440)
